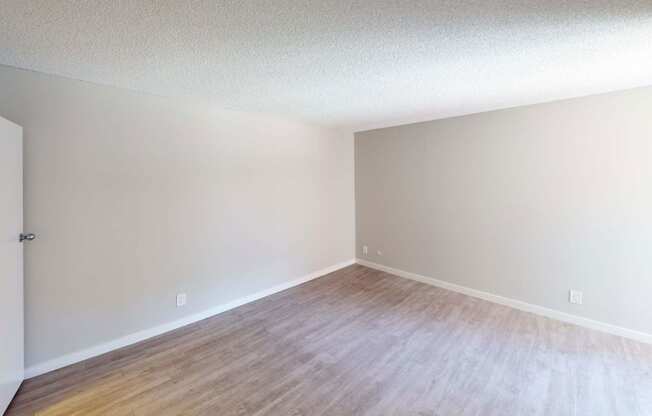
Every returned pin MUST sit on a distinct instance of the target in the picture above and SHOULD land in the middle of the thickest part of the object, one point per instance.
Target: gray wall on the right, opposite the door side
(525, 203)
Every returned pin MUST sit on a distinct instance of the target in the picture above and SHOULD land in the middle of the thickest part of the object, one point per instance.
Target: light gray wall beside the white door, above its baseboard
(135, 198)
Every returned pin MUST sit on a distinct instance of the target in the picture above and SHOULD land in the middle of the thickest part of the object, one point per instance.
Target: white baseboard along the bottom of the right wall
(517, 304)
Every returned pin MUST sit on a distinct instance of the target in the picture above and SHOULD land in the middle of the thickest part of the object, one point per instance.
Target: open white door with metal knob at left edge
(11, 261)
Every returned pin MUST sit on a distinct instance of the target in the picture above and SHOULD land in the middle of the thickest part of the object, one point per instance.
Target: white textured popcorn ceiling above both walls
(355, 64)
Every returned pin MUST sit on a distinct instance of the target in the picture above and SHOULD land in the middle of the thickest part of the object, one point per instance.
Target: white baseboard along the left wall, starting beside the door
(91, 352)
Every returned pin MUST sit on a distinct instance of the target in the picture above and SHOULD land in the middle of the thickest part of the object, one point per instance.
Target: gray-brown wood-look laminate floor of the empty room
(358, 342)
